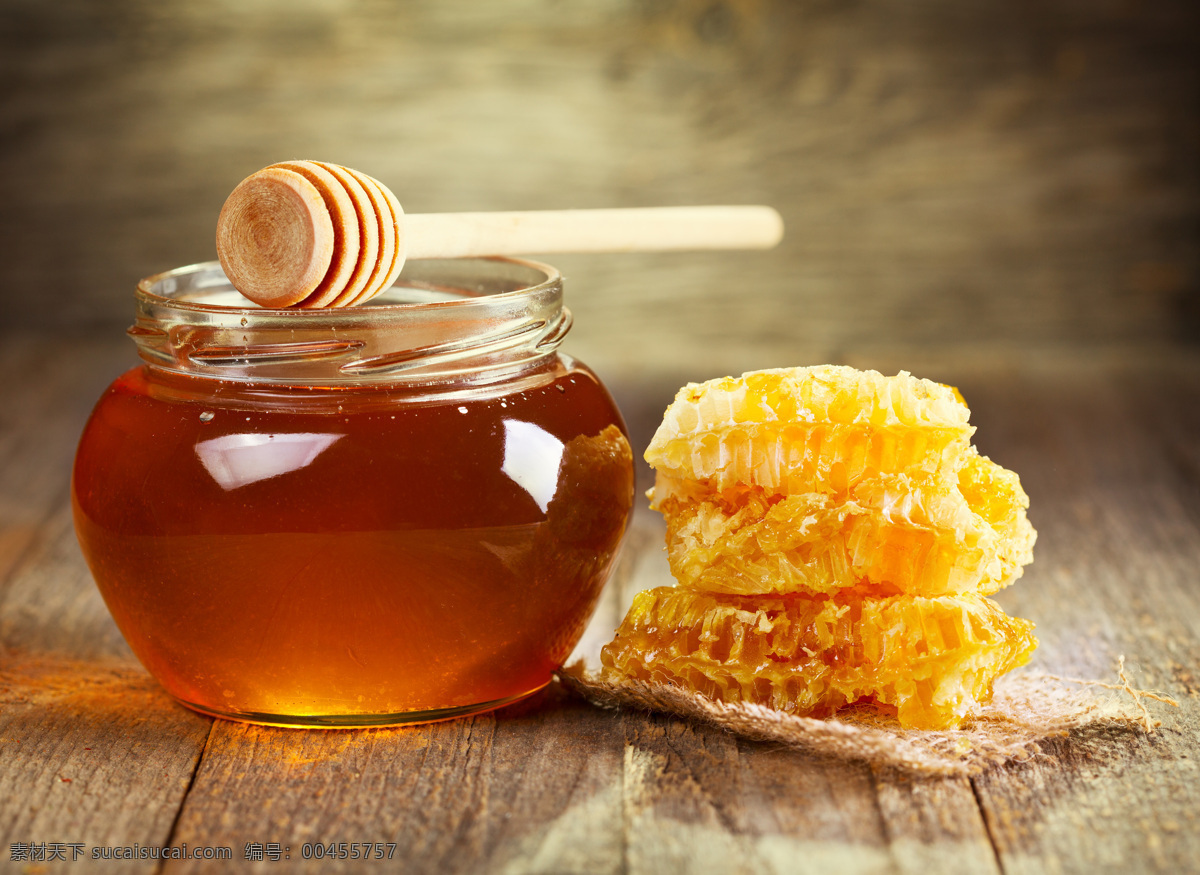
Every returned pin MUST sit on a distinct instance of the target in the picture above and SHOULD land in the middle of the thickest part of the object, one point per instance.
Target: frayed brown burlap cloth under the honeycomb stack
(1027, 710)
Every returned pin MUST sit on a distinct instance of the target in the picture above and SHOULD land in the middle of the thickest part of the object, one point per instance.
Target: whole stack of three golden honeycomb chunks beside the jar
(835, 536)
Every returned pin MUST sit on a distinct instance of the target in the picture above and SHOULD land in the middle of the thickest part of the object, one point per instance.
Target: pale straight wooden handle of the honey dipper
(644, 230)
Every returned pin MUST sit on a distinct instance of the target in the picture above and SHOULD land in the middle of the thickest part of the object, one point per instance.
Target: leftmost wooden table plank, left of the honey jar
(92, 751)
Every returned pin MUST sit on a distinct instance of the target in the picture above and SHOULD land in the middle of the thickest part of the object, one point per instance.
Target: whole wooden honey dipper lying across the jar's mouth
(315, 235)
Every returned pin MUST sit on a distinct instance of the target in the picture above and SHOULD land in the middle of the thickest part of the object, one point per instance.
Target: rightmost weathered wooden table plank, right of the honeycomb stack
(1120, 542)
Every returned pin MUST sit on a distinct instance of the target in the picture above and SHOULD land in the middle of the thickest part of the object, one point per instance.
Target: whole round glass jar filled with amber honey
(395, 513)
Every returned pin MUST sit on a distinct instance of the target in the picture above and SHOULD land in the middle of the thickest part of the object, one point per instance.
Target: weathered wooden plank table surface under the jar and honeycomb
(94, 754)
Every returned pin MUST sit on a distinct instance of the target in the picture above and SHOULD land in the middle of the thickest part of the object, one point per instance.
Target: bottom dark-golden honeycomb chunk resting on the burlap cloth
(931, 661)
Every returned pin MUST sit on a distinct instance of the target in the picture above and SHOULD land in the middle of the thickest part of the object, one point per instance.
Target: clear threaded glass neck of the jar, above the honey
(455, 320)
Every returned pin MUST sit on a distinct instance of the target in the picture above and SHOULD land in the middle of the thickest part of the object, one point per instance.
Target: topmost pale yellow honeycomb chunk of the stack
(811, 429)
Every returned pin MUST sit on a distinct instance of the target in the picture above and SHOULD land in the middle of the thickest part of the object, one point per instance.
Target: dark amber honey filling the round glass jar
(355, 554)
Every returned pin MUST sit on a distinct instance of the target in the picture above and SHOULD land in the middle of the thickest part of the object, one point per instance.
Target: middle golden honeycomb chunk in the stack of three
(889, 535)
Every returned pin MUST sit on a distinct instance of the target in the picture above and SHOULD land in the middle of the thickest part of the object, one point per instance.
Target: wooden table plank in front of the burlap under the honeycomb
(697, 799)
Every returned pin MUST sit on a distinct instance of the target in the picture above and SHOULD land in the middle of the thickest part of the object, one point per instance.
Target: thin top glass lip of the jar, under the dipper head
(151, 290)
